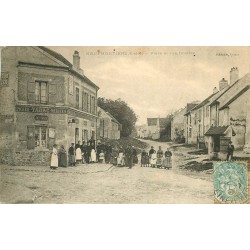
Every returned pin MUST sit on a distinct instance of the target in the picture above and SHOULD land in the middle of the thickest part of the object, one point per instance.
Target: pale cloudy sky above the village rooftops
(156, 81)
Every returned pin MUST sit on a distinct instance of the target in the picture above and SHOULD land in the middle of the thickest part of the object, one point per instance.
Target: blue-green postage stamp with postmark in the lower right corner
(231, 182)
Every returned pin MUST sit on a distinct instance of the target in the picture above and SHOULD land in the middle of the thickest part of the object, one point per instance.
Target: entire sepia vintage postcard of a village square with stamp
(122, 125)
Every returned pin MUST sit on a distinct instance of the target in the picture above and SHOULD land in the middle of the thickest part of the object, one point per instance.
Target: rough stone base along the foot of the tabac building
(25, 158)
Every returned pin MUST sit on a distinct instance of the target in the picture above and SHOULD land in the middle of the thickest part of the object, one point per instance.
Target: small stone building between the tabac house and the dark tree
(108, 126)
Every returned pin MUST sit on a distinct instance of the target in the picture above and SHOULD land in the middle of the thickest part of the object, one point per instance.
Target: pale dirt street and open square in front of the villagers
(103, 183)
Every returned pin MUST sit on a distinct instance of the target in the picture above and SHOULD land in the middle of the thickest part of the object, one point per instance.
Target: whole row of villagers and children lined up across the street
(104, 153)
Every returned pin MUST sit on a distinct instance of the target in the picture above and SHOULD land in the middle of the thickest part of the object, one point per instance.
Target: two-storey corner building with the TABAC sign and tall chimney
(45, 99)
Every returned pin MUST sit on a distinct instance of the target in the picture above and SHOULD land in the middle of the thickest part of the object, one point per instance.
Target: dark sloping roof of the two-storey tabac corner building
(62, 59)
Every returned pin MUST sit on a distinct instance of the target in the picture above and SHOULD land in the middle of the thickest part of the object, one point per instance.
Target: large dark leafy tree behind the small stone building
(121, 112)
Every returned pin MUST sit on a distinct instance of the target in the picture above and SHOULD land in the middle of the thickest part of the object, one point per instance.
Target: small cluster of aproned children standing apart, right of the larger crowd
(156, 159)
